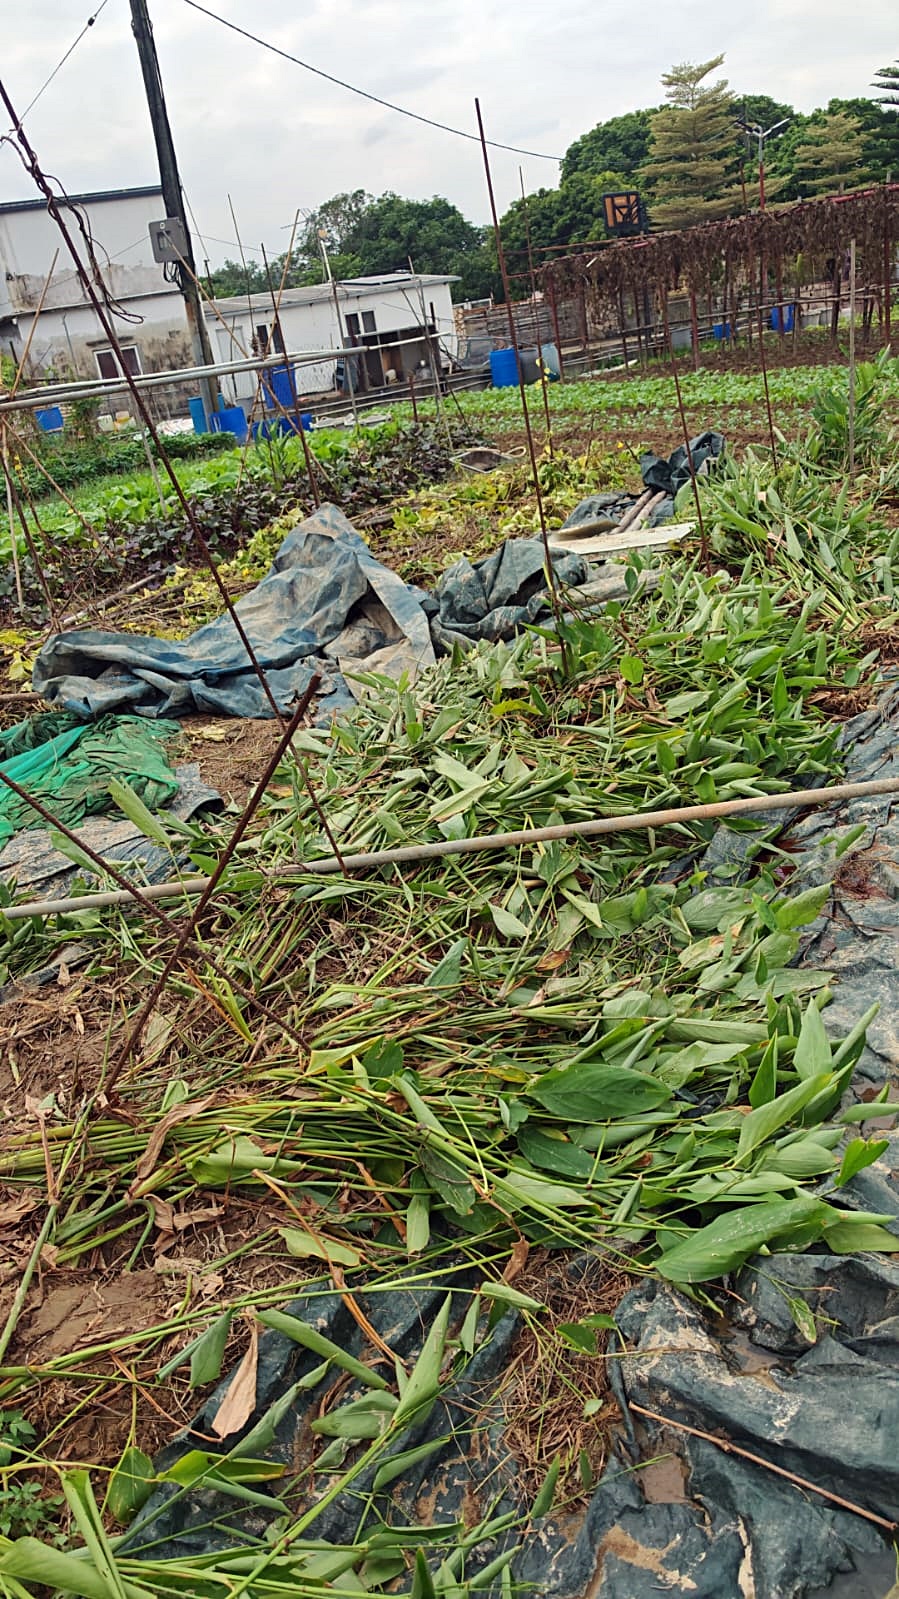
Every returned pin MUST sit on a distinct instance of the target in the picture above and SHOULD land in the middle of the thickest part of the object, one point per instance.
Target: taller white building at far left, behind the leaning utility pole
(70, 337)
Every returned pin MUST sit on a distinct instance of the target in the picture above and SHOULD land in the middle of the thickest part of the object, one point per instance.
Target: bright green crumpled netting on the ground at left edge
(70, 768)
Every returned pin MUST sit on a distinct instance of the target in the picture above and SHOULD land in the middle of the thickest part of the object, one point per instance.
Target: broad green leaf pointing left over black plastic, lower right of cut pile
(732, 1238)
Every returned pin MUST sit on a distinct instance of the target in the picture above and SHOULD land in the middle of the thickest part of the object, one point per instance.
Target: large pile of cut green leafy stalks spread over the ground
(599, 1047)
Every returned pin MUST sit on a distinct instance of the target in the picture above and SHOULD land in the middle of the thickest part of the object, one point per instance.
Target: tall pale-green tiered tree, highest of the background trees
(689, 173)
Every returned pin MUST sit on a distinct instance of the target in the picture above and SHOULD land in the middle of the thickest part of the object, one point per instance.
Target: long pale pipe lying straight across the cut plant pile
(794, 800)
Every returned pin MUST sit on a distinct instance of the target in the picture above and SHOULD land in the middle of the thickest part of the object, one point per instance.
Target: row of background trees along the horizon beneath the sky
(693, 159)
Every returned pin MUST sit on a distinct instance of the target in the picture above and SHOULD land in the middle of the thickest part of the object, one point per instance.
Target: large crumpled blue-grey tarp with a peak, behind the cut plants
(326, 607)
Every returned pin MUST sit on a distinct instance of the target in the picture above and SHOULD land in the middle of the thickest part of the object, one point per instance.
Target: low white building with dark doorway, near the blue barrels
(391, 321)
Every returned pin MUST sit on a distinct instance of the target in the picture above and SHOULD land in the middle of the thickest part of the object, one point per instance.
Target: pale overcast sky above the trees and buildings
(278, 138)
